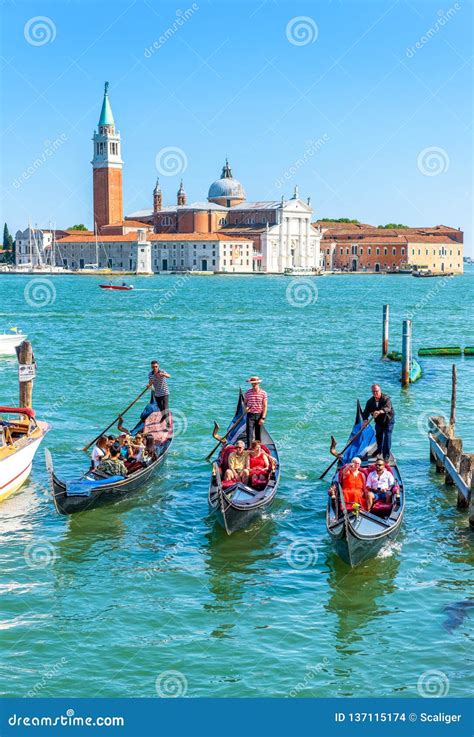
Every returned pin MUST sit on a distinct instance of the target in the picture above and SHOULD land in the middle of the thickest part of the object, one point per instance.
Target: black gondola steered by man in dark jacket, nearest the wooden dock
(359, 535)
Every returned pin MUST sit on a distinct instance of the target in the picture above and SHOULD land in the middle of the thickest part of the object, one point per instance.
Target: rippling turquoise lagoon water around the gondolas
(107, 602)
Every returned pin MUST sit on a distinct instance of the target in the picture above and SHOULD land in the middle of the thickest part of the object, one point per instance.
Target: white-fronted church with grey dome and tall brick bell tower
(280, 231)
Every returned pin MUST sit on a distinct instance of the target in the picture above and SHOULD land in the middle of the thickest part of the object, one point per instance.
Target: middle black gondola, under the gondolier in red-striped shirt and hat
(236, 505)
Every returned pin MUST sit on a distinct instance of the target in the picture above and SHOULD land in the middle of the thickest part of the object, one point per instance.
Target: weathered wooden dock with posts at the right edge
(447, 453)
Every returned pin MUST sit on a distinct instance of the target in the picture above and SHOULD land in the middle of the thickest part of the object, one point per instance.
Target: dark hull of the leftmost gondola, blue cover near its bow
(104, 493)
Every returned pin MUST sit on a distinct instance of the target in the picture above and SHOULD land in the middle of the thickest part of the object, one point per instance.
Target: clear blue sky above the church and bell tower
(385, 87)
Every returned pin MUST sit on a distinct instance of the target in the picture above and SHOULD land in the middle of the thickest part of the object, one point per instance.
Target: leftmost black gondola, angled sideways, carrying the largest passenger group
(94, 490)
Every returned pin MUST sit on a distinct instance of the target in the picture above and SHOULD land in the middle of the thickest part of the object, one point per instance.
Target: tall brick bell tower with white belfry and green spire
(107, 169)
